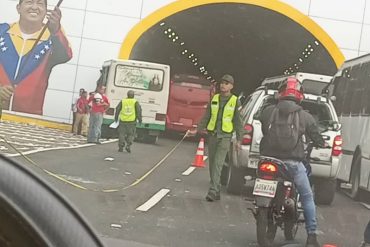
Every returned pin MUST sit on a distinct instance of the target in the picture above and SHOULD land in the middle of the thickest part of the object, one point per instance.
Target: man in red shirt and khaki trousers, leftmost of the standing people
(82, 111)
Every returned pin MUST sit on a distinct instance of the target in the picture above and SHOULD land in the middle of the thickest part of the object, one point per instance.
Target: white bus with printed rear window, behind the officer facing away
(151, 84)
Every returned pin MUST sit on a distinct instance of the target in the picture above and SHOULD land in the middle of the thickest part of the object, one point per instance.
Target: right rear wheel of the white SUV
(325, 191)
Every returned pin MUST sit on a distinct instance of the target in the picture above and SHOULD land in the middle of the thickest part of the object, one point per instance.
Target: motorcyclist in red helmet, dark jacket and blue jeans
(290, 95)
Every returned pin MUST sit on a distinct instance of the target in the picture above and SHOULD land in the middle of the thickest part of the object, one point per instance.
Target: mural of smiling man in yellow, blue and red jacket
(24, 70)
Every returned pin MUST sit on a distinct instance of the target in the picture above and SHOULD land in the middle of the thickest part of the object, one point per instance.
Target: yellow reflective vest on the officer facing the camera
(227, 114)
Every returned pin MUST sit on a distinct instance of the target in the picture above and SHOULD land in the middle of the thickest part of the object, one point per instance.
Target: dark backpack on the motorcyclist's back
(283, 130)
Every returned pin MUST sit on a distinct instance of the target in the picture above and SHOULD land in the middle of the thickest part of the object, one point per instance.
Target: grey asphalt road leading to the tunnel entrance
(182, 217)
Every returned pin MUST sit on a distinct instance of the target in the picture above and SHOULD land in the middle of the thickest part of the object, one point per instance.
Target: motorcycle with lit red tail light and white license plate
(276, 201)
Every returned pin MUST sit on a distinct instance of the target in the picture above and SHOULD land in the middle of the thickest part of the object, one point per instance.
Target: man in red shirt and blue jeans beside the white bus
(99, 104)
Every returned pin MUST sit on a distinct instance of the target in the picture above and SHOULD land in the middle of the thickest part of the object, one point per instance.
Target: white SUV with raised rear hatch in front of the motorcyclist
(324, 162)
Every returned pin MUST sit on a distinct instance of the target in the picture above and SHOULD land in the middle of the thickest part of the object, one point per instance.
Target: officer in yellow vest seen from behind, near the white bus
(128, 111)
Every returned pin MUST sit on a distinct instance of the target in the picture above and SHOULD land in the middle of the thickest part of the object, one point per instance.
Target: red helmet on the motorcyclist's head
(291, 89)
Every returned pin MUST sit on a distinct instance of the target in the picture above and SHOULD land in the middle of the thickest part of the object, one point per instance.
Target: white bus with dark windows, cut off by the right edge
(352, 90)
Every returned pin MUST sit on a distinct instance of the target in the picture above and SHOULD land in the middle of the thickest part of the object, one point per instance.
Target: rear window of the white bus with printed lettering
(139, 77)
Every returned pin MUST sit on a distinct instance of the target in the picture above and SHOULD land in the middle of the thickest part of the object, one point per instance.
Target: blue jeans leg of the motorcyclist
(299, 174)
